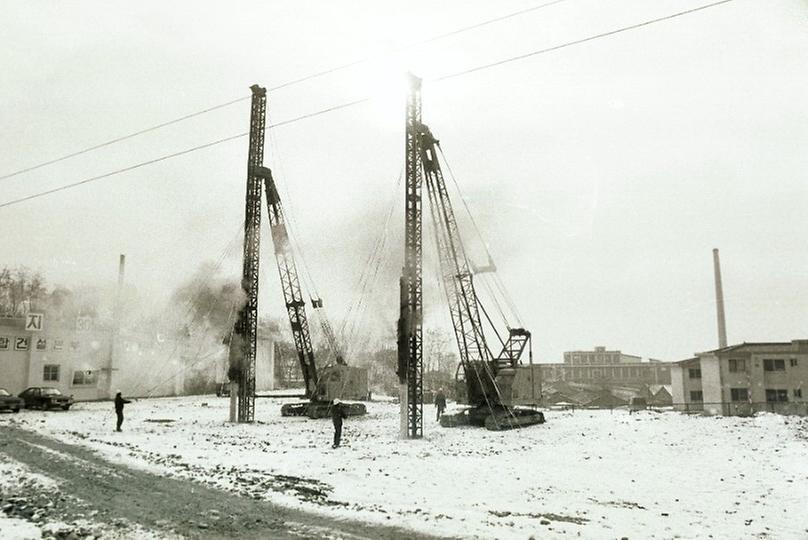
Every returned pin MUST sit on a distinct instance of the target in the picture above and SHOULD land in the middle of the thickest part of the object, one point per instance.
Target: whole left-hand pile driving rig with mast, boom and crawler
(336, 380)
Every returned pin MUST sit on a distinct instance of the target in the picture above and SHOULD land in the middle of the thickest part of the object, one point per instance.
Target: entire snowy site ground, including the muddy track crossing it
(180, 468)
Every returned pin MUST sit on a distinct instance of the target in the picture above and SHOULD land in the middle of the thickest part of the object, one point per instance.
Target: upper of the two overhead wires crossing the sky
(286, 84)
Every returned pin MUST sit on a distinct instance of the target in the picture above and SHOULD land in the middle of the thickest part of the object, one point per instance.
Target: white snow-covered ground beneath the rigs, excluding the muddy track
(594, 474)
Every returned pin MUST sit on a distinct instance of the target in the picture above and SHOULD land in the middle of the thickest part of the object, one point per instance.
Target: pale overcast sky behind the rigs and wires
(601, 175)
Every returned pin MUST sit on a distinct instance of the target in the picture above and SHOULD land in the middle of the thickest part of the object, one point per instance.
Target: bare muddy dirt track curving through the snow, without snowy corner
(114, 494)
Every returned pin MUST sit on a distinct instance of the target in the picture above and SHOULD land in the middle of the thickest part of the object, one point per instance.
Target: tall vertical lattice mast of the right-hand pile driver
(410, 330)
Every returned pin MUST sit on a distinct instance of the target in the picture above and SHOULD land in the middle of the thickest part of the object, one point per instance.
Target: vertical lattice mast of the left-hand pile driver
(247, 324)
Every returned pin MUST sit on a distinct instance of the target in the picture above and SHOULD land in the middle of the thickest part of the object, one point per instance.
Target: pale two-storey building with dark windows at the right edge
(743, 379)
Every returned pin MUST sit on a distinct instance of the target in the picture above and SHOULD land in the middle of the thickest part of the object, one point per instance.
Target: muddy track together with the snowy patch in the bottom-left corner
(67, 491)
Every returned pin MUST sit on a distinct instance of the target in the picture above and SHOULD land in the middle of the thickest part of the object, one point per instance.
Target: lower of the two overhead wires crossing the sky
(366, 99)
